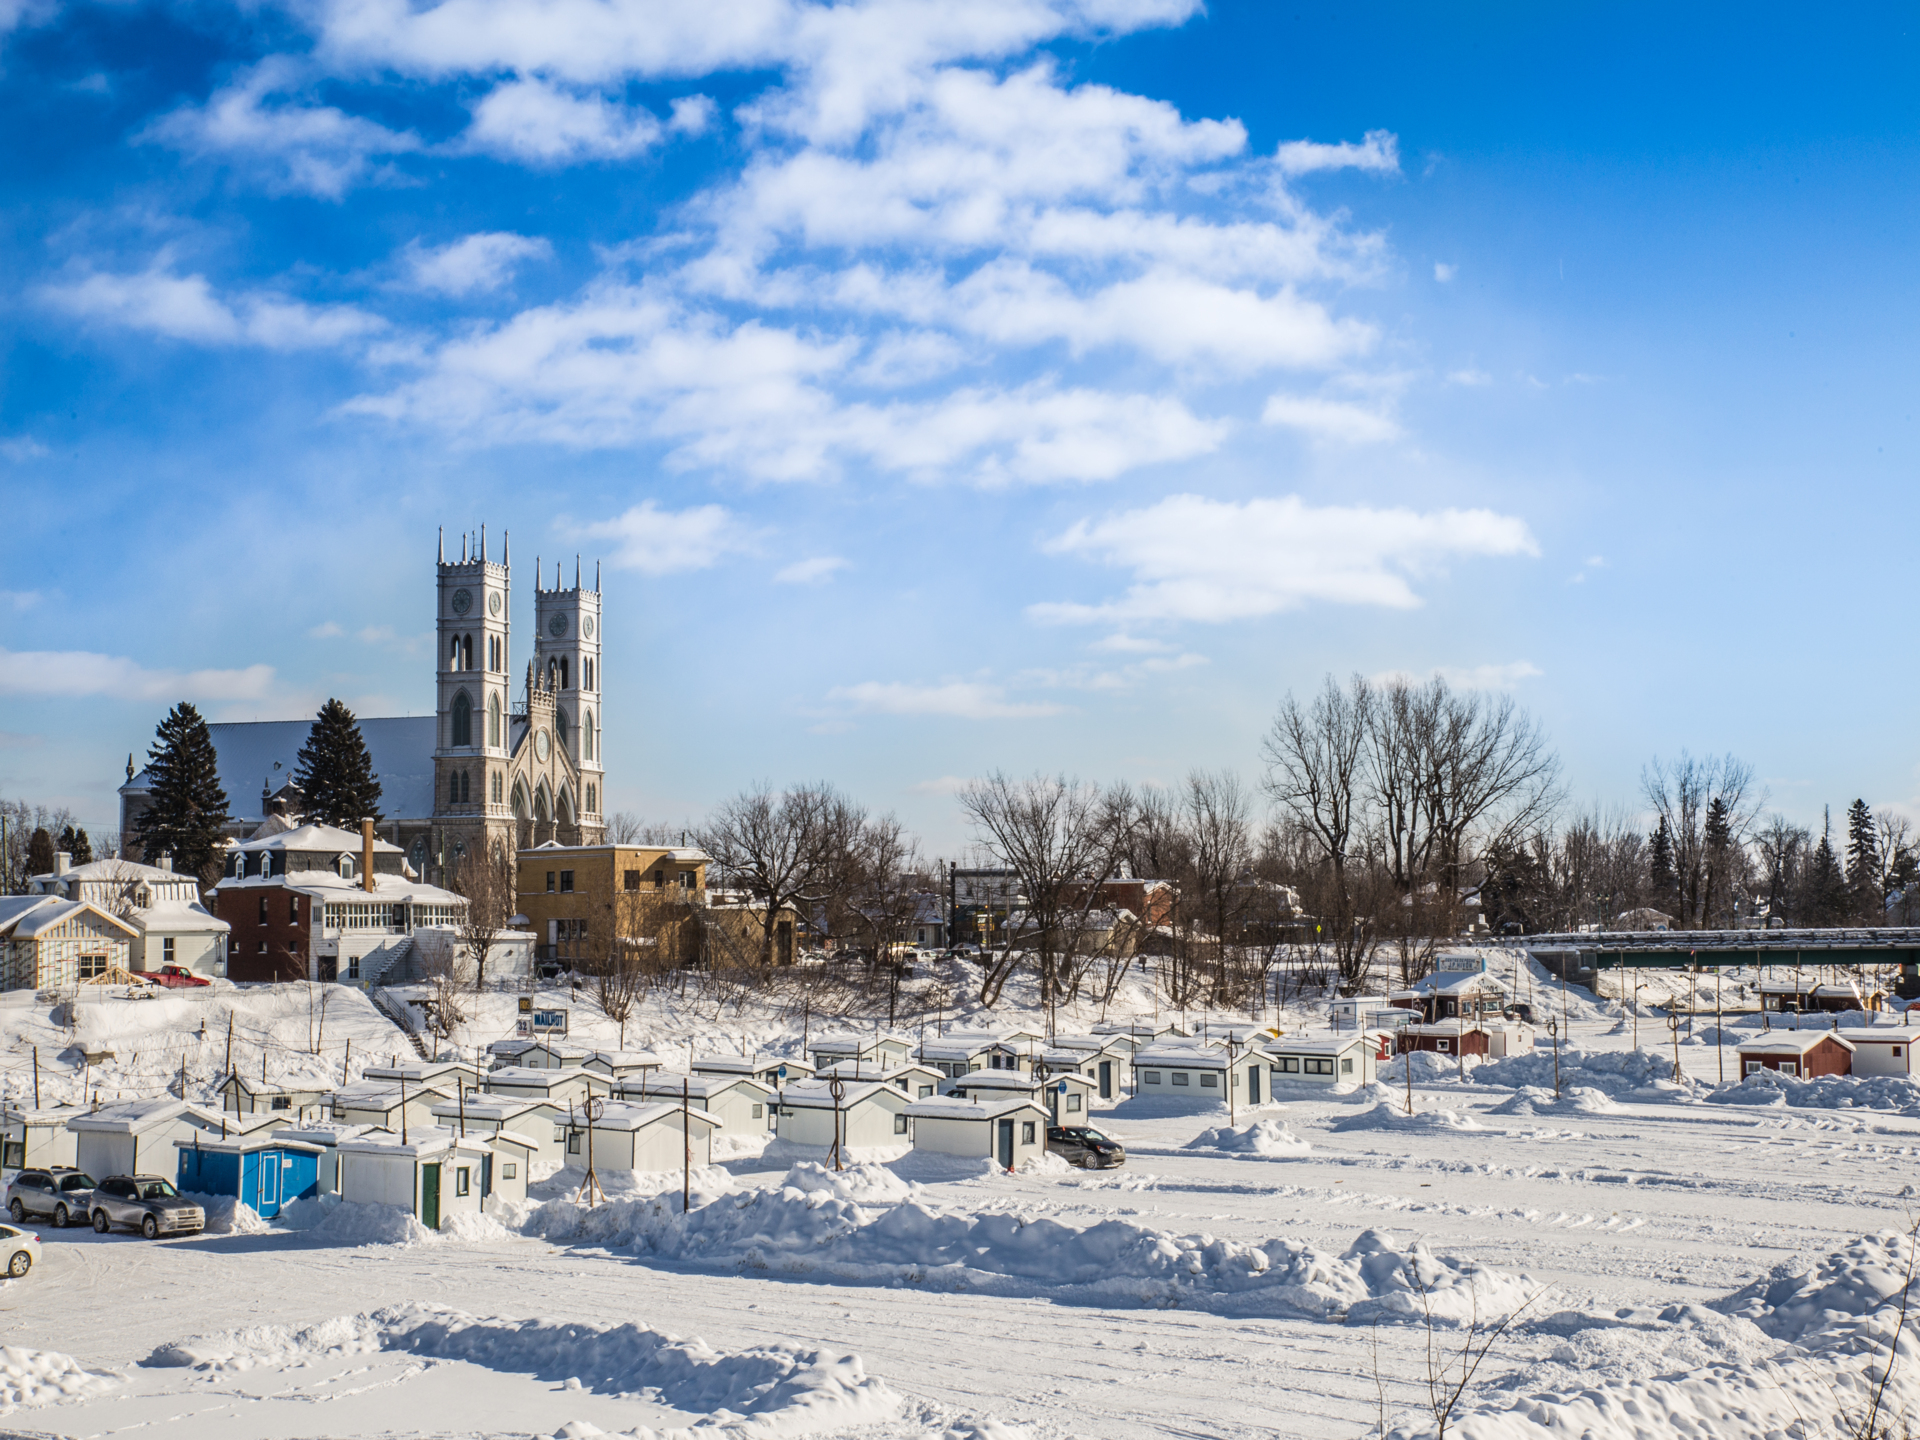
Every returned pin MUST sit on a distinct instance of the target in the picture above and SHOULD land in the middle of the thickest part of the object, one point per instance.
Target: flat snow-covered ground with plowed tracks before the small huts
(1692, 1260)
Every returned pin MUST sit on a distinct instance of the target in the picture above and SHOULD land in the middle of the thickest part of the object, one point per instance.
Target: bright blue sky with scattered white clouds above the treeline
(948, 387)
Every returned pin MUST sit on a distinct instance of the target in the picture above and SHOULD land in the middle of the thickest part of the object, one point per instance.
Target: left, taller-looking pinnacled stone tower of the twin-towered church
(473, 738)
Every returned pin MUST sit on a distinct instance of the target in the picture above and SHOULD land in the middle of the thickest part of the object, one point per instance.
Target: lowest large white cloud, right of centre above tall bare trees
(1203, 560)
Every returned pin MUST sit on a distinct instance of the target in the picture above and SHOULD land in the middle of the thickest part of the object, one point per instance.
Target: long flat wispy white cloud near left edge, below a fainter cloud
(185, 308)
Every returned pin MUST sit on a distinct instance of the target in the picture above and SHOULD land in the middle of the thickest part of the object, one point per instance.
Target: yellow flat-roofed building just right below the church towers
(585, 900)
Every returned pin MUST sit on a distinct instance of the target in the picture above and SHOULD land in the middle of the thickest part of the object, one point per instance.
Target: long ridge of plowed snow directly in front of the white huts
(815, 1234)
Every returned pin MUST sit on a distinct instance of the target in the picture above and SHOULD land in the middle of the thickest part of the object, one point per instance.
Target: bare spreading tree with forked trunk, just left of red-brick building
(1065, 840)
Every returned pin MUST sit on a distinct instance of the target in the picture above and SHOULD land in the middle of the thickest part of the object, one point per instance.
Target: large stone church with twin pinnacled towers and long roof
(485, 767)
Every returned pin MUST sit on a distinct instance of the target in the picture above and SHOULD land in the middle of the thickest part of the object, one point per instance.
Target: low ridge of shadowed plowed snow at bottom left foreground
(759, 1395)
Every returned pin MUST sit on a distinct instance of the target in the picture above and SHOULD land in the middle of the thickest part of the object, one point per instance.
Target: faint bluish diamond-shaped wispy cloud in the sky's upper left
(297, 147)
